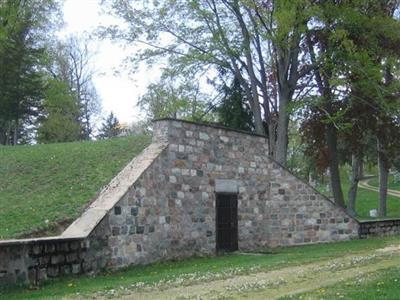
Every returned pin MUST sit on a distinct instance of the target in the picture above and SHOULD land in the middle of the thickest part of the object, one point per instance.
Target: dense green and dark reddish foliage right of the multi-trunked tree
(356, 99)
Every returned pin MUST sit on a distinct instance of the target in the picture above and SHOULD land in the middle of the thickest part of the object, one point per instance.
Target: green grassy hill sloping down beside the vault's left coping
(43, 186)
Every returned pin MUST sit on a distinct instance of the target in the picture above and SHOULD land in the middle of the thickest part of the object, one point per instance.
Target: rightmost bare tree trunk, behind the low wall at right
(383, 178)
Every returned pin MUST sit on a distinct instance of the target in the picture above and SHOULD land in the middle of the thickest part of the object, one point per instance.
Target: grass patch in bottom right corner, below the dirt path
(384, 284)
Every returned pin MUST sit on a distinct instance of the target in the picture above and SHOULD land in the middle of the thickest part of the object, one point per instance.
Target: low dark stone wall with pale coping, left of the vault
(33, 261)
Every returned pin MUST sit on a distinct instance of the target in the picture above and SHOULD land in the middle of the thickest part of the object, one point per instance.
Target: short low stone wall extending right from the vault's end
(379, 228)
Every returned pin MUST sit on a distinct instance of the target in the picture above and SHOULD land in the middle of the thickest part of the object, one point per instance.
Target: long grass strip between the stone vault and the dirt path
(200, 268)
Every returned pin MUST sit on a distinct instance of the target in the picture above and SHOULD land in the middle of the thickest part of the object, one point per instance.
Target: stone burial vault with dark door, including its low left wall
(196, 190)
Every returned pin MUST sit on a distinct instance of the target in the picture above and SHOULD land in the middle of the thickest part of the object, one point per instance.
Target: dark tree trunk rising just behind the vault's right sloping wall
(331, 139)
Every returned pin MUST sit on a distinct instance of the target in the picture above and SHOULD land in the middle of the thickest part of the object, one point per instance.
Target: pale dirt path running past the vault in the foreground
(276, 283)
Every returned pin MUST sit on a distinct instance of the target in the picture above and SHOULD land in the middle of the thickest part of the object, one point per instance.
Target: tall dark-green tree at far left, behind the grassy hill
(23, 25)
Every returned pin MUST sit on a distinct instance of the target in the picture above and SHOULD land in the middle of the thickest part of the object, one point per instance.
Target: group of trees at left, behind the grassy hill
(47, 93)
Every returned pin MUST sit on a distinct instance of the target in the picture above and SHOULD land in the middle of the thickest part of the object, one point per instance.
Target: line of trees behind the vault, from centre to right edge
(329, 66)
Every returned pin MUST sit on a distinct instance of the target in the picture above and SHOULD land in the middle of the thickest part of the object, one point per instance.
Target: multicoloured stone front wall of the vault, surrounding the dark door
(170, 211)
